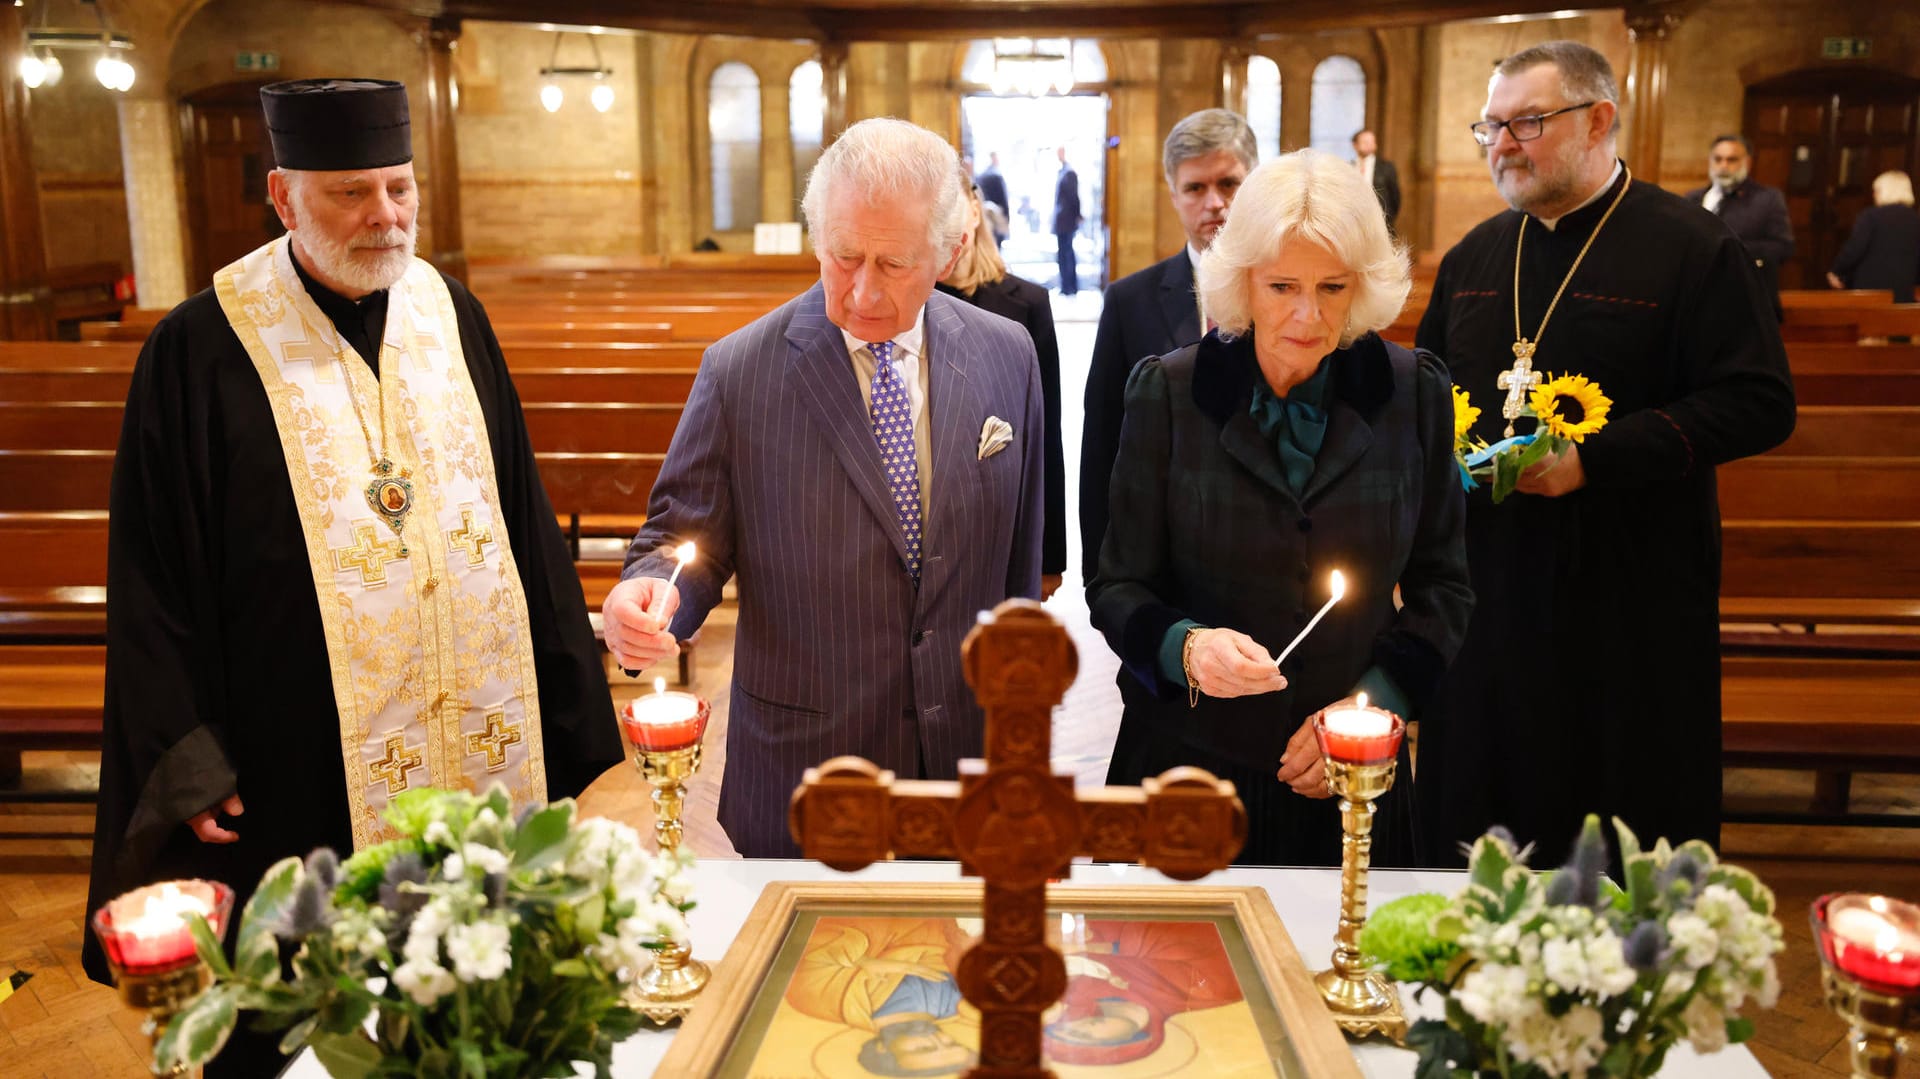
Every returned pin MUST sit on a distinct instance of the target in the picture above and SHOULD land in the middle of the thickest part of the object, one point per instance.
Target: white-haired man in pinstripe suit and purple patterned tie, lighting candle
(867, 462)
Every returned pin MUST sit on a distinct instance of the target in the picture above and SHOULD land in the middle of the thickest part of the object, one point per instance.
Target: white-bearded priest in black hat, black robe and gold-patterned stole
(333, 571)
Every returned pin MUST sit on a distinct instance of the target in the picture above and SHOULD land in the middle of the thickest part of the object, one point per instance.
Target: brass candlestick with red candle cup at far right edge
(1871, 984)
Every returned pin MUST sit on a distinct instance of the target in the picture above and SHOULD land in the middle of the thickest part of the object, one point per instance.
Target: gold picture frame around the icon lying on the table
(742, 1005)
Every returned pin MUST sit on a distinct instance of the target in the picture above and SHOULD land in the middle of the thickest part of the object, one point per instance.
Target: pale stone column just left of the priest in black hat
(151, 172)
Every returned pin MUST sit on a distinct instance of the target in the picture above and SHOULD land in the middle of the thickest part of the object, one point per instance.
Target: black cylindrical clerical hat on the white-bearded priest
(339, 124)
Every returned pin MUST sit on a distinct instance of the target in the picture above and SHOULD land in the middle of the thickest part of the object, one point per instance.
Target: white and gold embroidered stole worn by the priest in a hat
(425, 619)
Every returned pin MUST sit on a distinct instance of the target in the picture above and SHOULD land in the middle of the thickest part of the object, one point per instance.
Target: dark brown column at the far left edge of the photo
(26, 300)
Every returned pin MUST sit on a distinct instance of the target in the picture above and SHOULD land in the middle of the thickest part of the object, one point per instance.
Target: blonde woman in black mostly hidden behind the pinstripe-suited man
(980, 277)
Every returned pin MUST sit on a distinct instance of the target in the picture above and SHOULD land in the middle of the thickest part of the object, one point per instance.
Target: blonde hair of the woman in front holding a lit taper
(1320, 199)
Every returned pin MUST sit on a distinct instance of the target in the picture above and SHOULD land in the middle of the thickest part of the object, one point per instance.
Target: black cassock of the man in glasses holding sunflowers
(1591, 679)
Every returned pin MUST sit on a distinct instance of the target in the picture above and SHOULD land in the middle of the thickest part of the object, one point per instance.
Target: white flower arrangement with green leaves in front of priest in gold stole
(479, 944)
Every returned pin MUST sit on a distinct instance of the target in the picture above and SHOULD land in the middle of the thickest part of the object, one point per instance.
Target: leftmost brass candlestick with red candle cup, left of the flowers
(153, 955)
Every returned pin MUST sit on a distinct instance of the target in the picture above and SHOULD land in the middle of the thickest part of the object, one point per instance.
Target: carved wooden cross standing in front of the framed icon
(1017, 823)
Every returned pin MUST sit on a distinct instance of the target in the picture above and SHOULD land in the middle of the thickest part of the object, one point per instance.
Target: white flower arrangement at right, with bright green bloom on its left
(1575, 976)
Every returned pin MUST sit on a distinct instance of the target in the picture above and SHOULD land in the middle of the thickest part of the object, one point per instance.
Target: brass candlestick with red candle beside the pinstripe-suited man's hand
(673, 984)
